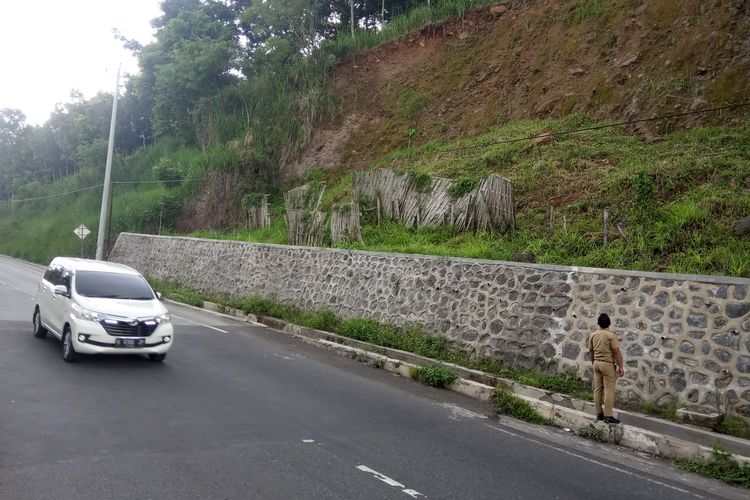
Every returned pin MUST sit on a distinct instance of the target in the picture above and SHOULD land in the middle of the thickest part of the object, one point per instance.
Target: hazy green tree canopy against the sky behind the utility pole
(212, 62)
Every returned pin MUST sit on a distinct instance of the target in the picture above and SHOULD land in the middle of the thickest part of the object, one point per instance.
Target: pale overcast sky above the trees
(49, 47)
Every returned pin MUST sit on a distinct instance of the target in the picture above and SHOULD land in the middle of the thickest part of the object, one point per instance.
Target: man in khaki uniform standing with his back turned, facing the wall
(605, 353)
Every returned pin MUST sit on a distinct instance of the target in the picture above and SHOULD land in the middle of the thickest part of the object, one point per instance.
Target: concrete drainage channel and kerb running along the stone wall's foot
(638, 432)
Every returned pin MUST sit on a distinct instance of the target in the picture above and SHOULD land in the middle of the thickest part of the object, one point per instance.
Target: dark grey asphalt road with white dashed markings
(241, 411)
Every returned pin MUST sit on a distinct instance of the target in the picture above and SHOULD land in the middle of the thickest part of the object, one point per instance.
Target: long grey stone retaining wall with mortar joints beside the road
(685, 339)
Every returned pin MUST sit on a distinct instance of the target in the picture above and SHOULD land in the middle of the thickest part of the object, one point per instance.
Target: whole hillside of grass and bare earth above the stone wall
(460, 91)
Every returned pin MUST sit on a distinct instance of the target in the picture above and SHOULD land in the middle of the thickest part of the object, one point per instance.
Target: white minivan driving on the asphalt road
(97, 307)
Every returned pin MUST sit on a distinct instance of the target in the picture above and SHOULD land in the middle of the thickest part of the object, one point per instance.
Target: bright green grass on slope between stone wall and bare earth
(679, 199)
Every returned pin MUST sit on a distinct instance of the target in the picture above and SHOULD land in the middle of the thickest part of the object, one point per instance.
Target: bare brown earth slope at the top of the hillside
(624, 59)
